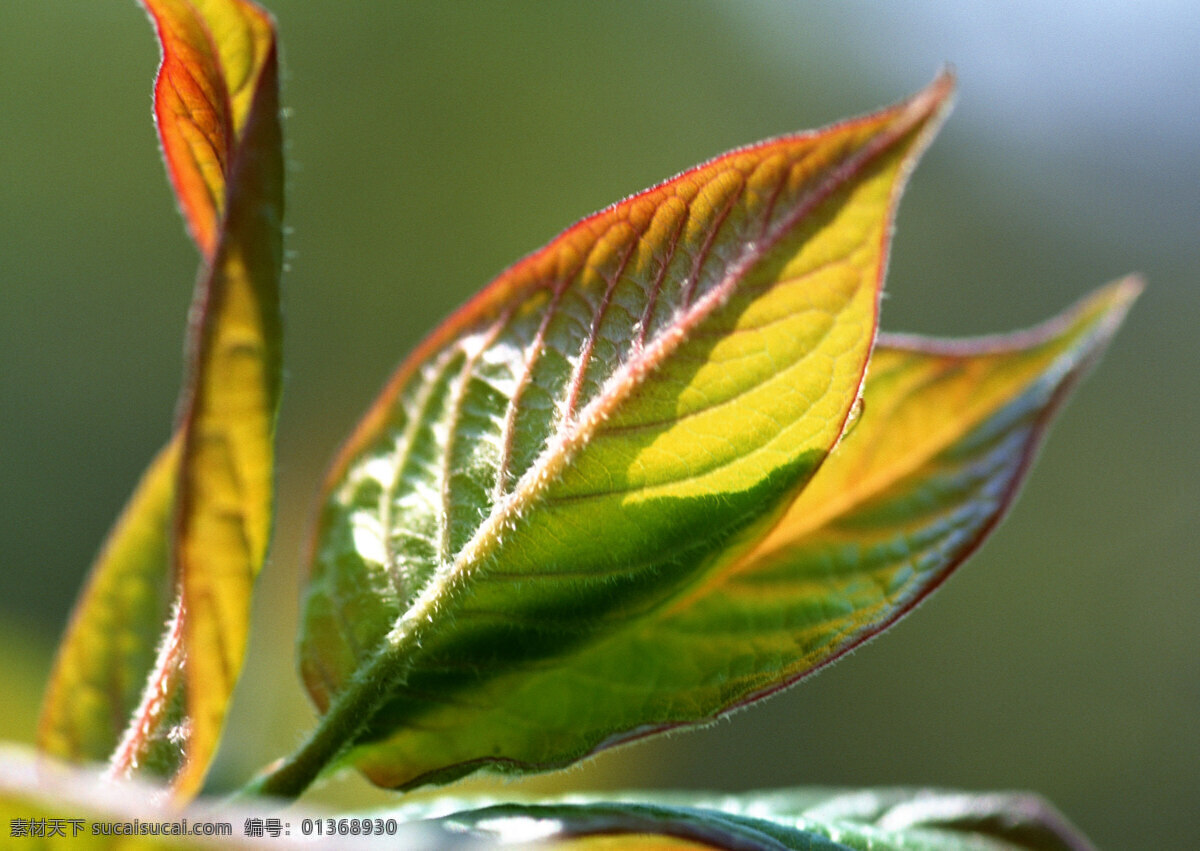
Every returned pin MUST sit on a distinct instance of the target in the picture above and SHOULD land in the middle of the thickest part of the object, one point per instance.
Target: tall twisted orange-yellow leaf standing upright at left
(217, 100)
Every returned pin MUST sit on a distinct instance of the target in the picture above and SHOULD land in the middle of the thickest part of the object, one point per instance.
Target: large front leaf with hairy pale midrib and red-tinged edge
(574, 448)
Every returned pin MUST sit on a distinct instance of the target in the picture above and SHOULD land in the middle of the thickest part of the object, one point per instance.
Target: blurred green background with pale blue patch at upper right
(433, 145)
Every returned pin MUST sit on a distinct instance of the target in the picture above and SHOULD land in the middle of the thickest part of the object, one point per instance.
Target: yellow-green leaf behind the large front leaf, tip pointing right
(947, 433)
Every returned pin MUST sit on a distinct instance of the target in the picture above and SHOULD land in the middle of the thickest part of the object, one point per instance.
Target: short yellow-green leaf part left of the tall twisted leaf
(110, 645)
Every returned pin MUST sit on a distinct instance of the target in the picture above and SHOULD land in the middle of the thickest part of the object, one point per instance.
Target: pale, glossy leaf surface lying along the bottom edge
(44, 796)
